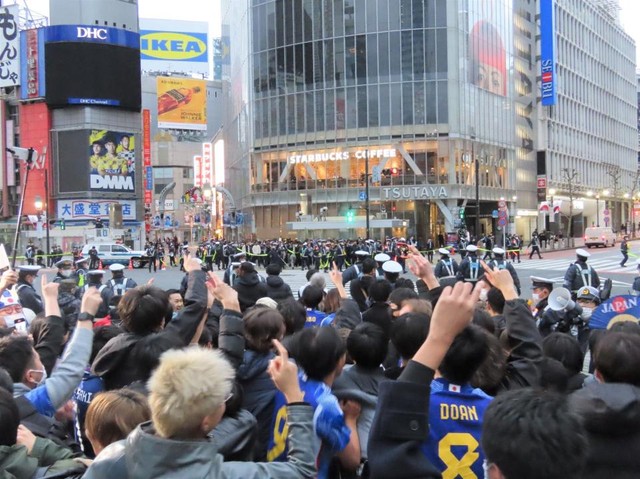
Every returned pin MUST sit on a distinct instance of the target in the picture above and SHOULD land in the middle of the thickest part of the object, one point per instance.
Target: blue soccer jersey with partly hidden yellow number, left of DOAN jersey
(332, 433)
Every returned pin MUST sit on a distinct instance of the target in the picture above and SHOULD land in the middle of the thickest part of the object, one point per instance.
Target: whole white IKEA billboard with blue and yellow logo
(174, 46)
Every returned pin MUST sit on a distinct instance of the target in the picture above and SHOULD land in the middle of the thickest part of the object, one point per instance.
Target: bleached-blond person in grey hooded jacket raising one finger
(187, 400)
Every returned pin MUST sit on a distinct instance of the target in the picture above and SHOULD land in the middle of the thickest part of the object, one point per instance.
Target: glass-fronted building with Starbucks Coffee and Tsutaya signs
(422, 98)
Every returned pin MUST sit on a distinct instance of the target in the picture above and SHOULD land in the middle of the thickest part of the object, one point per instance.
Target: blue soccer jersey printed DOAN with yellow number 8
(455, 428)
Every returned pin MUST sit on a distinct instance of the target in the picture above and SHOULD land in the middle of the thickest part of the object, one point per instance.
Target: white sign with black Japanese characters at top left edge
(9, 46)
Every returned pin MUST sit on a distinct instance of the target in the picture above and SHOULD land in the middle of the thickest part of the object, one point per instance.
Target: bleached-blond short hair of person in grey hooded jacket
(187, 386)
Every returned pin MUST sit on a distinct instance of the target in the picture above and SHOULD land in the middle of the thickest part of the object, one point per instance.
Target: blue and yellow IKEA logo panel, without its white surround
(176, 46)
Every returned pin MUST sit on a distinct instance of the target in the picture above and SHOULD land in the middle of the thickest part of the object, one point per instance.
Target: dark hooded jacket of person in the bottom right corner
(611, 416)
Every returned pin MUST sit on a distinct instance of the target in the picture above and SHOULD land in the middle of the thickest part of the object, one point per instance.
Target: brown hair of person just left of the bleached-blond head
(112, 415)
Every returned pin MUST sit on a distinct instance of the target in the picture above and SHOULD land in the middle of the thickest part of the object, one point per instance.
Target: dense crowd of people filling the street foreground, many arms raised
(451, 376)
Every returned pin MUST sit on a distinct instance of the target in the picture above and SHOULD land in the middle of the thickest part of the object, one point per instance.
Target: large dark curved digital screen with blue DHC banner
(93, 66)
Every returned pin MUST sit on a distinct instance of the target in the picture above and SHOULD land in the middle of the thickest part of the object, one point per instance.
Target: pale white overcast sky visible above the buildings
(209, 9)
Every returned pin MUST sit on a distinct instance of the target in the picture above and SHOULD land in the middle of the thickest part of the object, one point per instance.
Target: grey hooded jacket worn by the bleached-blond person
(143, 455)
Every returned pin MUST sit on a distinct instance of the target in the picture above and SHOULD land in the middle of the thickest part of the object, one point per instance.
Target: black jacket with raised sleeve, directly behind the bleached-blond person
(114, 363)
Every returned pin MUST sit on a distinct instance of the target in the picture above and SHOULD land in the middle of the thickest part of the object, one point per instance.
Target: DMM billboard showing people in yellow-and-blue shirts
(112, 160)
